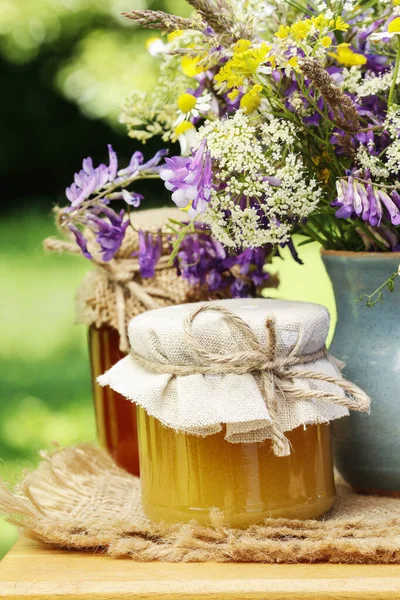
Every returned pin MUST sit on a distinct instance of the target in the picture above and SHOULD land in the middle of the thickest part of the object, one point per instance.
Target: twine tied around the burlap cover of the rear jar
(122, 273)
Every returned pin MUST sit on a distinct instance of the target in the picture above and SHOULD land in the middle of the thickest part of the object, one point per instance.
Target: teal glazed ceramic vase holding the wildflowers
(367, 340)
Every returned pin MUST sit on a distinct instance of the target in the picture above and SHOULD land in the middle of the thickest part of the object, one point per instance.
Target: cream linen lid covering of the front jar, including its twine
(181, 382)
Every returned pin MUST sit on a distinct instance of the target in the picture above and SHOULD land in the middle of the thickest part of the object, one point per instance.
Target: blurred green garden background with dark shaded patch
(65, 66)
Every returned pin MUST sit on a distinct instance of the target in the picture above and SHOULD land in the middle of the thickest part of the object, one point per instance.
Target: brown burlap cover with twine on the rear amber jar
(114, 292)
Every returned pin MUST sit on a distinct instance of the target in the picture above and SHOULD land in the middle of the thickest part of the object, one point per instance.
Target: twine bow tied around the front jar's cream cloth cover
(276, 376)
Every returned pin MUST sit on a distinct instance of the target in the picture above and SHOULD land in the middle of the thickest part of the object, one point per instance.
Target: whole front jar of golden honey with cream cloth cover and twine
(235, 400)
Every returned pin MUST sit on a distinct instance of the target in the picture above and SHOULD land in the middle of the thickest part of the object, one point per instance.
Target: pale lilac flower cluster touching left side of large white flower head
(190, 179)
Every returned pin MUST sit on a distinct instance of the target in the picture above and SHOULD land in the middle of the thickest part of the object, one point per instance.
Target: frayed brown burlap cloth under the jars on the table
(79, 499)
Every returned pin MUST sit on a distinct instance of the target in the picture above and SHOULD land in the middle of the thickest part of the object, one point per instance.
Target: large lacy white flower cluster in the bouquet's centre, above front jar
(260, 182)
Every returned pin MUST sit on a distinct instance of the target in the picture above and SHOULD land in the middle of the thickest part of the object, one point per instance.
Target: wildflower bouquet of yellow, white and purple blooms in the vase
(288, 119)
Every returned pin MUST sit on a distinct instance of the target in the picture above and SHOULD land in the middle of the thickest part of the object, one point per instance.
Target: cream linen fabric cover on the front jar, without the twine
(202, 404)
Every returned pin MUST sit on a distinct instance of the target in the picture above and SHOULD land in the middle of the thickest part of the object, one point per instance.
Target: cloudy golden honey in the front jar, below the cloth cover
(184, 476)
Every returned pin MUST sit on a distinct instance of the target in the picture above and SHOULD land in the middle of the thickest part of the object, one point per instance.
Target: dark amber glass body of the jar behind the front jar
(116, 421)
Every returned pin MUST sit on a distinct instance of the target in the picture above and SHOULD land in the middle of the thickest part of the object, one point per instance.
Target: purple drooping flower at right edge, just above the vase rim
(362, 199)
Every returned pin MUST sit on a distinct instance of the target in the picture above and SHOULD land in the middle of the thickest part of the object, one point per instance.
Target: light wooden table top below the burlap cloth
(33, 571)
